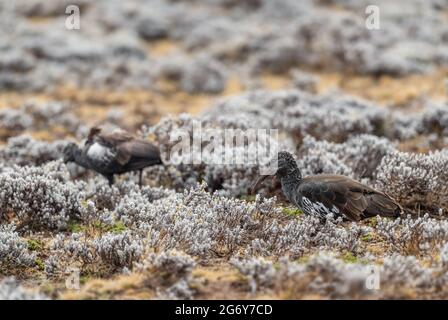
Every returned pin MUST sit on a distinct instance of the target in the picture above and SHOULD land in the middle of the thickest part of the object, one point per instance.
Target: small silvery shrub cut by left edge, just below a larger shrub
(14, 251)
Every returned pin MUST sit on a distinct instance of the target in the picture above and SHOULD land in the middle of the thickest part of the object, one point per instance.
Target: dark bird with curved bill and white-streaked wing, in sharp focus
(331, 194)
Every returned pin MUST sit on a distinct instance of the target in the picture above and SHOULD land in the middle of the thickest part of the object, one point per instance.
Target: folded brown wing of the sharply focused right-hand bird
(353, 199)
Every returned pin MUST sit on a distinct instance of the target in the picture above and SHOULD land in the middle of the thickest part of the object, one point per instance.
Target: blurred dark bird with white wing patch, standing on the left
(114, 152)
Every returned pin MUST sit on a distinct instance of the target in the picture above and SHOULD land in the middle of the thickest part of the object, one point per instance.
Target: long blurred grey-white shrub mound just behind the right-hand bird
(325, 117)
